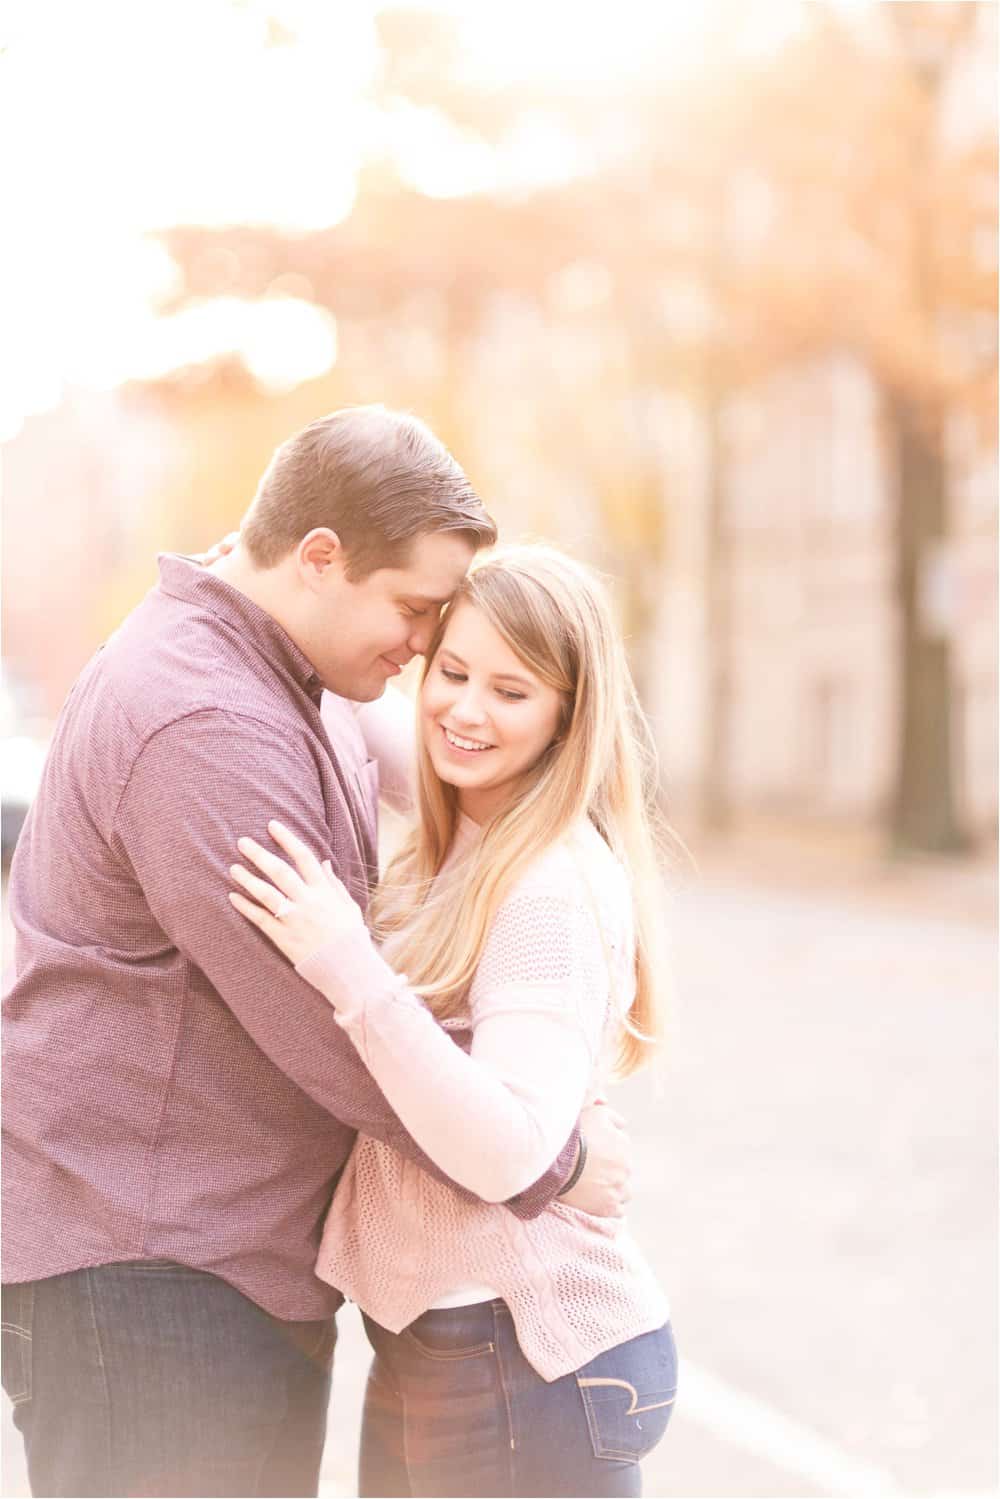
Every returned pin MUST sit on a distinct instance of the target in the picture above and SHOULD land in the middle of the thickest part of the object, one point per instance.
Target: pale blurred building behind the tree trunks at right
(812, 612)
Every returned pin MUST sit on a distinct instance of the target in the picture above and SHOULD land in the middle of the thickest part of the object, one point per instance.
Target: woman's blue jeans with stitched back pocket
(455, 1408)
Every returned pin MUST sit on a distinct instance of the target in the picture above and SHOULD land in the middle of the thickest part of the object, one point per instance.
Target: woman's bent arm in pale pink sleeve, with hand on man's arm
(494, 1119)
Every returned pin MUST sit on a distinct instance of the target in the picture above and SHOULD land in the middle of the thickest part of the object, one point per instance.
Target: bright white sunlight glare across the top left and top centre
(136, 118)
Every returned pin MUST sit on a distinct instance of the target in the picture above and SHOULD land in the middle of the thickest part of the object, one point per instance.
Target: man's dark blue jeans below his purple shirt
(149, 1380)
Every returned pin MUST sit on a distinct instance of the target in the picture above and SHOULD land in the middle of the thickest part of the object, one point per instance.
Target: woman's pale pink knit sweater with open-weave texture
(546, 1010)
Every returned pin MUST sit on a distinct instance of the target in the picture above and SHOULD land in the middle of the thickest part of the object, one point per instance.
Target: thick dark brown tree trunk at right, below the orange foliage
(924, 816)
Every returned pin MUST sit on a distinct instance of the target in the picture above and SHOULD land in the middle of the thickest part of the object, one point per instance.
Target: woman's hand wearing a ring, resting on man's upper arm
(301, 909)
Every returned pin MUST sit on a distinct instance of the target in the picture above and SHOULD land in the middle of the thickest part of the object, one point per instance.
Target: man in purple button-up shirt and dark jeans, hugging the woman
(178, 1101)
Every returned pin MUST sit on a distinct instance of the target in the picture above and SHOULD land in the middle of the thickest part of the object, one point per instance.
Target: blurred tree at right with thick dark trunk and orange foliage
(884, 241)
